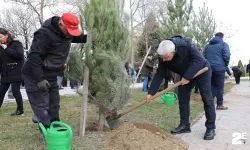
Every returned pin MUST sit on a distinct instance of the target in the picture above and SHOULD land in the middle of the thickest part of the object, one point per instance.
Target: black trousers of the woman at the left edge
(16, 93)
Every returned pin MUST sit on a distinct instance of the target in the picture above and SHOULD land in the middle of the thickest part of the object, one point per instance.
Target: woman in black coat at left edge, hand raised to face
(11, 60)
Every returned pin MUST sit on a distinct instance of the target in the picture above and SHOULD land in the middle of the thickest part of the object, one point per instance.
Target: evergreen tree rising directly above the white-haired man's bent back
(176, 18)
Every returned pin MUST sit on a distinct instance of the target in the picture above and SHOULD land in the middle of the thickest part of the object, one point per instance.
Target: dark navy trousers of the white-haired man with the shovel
(204, 83)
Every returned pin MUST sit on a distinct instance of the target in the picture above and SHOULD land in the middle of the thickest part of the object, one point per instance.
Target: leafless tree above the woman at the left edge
(19, 22)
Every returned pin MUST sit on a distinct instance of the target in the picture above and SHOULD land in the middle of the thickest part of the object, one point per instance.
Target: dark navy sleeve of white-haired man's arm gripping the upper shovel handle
(196, 62)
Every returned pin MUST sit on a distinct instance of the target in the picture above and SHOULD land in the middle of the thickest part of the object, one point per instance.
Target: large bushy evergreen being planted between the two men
(105, 55)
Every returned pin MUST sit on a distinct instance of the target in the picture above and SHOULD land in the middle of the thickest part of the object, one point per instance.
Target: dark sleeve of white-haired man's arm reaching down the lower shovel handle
(156, 82)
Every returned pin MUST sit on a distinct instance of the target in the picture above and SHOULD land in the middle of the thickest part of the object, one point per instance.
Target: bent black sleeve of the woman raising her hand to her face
(16, 52)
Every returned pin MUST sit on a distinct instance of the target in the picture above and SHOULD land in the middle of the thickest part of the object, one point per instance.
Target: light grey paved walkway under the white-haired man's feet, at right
(235, 119)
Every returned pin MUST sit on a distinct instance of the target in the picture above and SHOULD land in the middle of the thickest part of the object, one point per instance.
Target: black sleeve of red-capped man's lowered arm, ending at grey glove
(38, 50)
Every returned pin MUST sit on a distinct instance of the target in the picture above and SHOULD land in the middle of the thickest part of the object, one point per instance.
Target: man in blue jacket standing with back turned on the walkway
(218, 55)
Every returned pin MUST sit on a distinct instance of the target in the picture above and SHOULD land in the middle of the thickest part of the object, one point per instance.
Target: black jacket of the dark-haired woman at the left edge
(11, 62)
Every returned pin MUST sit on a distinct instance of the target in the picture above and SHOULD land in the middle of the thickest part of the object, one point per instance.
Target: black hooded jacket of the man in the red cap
(49, 51)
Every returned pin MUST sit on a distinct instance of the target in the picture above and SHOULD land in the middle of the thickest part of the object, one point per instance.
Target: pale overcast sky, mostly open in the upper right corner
(234, 15)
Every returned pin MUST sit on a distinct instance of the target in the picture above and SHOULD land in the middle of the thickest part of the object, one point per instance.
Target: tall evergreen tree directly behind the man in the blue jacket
(204, 26)
